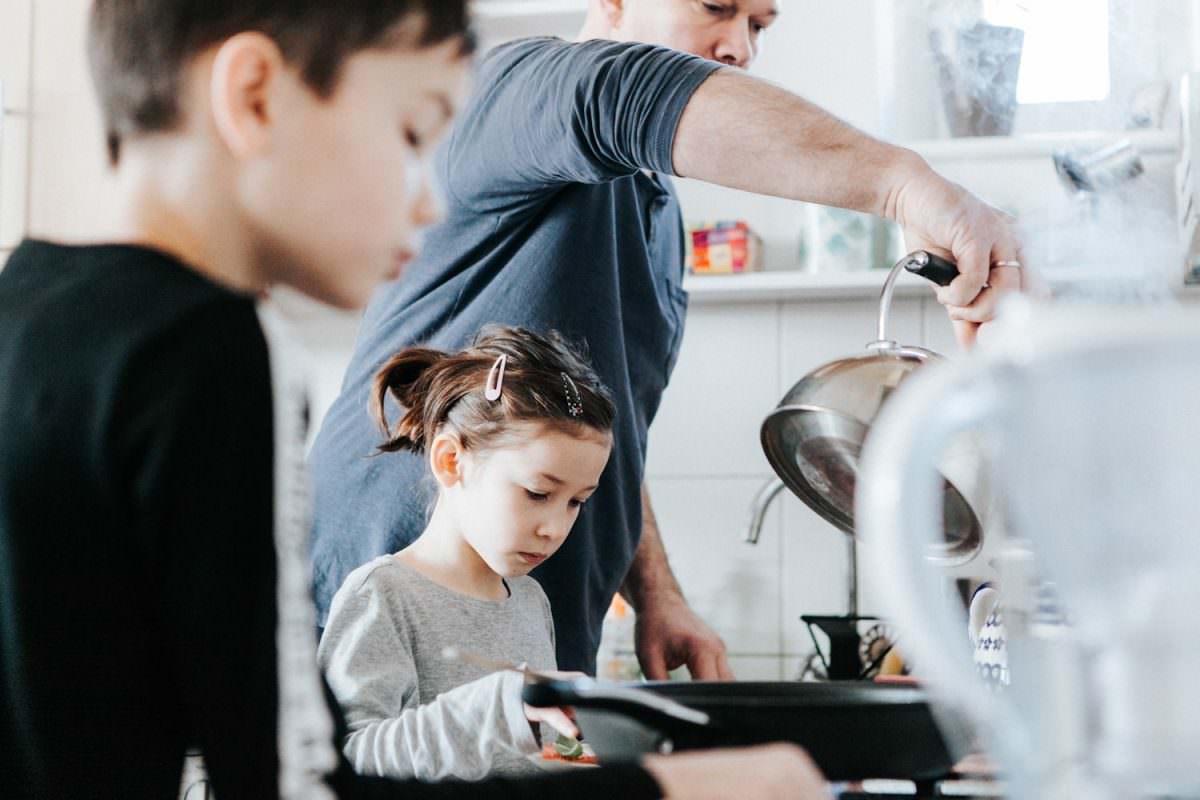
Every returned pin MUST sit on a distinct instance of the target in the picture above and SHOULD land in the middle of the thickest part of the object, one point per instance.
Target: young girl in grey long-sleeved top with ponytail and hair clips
(518, 431)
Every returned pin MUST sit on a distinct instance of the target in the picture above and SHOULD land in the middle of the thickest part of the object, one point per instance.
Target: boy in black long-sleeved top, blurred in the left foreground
(153, 537)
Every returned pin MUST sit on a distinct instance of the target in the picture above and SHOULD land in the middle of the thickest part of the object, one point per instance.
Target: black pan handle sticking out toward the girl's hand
(639, 705)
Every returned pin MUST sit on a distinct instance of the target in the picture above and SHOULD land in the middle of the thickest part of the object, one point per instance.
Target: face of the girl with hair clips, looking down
(515, 506)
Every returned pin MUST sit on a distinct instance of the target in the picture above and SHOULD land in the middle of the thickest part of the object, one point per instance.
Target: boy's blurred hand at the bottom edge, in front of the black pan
(766, 773)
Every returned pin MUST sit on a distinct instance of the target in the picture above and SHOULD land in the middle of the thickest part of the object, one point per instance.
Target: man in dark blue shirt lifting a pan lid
(559, 218)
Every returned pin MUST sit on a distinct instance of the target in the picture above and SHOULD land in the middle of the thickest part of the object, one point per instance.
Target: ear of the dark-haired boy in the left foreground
(247, 71)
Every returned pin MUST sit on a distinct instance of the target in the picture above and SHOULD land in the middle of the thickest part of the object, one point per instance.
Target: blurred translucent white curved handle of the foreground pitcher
(899, 515)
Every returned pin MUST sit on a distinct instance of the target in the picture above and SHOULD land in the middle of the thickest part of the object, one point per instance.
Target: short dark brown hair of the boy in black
(140, 49)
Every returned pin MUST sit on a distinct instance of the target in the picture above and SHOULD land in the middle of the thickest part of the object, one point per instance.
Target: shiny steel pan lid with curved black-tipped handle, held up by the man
(814, 437)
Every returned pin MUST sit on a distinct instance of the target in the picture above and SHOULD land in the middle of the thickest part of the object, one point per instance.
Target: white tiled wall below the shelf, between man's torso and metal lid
(706, 465)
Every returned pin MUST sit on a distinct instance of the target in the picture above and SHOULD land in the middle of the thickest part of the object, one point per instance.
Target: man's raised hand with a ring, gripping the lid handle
(944, 218)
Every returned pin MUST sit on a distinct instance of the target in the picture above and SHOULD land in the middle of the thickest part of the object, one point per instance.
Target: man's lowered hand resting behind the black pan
(669, 635)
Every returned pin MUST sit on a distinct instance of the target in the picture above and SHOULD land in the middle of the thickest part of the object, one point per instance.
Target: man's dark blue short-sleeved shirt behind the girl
(556, 220)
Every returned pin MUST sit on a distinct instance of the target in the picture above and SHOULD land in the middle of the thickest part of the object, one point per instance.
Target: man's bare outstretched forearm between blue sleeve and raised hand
(747, 134)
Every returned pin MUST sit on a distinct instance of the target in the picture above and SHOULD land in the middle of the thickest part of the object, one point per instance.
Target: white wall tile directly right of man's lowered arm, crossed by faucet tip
(733, 586)
